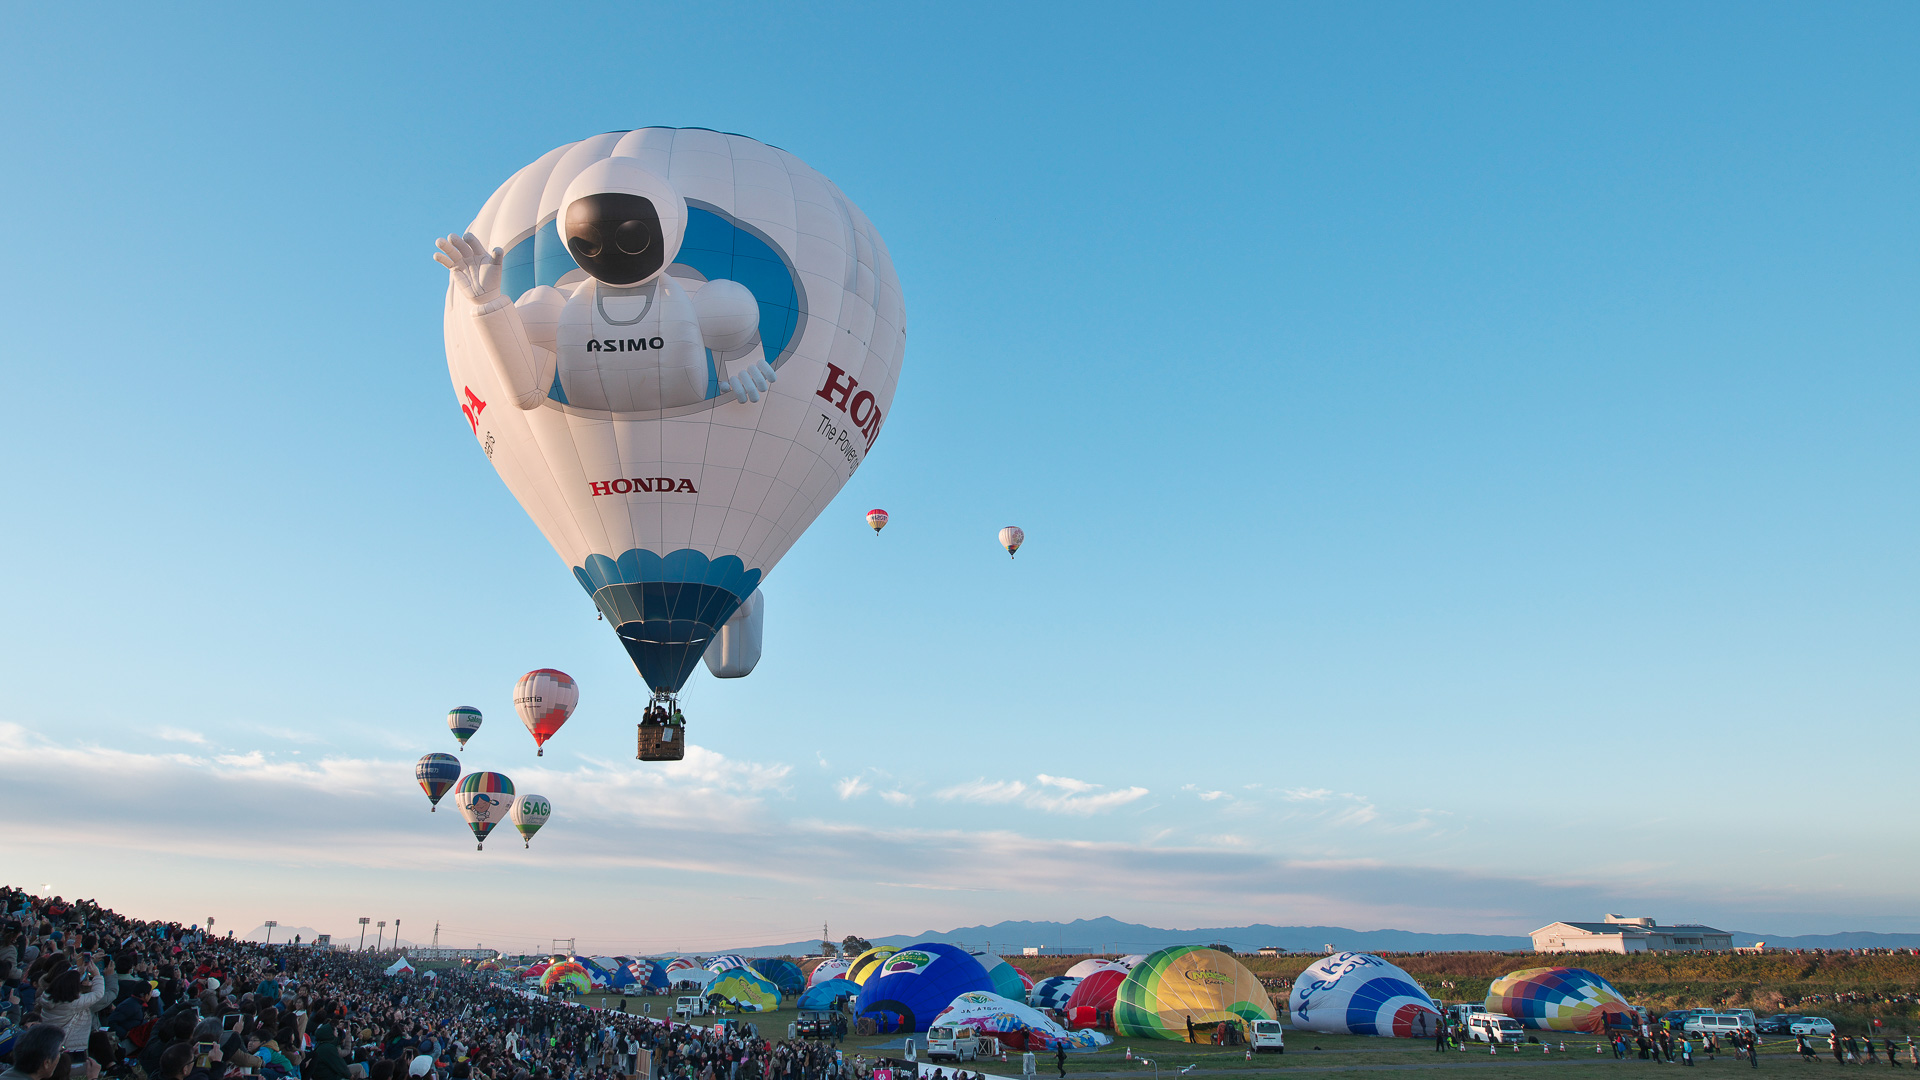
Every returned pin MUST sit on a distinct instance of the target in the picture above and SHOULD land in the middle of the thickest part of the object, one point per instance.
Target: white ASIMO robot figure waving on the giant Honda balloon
(629, 339)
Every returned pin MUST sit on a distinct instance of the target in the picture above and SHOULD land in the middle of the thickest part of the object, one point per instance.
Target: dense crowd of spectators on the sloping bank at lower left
(93, 994)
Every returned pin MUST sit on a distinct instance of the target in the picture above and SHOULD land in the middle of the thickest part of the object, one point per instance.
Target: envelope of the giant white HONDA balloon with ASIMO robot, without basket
(675, 347)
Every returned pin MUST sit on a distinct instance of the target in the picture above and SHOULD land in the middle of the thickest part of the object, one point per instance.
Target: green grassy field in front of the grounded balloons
(1314, 1054)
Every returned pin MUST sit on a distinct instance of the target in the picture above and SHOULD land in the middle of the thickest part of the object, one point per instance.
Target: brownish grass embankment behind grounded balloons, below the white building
(1852, 991)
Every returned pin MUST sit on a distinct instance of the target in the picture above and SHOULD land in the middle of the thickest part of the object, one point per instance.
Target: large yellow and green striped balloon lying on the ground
(1189, 983)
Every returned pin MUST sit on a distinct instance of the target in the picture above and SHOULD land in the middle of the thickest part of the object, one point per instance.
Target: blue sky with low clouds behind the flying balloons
(1466, 453)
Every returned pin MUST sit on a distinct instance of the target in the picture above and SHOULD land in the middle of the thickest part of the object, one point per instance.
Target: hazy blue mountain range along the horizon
(1113, 937)
